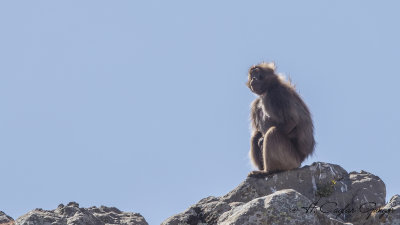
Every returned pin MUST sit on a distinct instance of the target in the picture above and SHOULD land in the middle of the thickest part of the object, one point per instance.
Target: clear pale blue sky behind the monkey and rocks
(143, 105)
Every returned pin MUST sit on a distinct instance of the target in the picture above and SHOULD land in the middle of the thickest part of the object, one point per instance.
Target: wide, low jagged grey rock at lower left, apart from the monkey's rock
(71, 214)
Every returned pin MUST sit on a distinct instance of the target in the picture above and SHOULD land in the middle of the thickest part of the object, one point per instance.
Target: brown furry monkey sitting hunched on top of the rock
(283, 132)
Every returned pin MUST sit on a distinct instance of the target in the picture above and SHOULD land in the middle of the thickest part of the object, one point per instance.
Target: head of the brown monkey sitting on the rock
(261, 77)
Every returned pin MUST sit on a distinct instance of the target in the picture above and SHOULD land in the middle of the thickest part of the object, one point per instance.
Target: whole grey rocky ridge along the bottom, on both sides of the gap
(320, 193)
